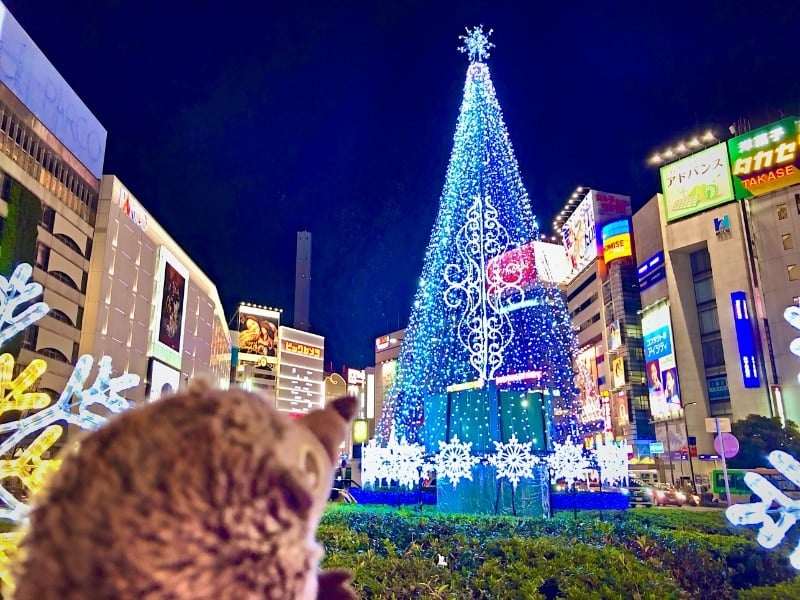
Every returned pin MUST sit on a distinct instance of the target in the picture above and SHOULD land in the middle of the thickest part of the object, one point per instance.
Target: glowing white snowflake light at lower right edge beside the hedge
(772, 532)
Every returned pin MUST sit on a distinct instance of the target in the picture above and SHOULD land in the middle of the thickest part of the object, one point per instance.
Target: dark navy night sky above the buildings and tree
(238, 124)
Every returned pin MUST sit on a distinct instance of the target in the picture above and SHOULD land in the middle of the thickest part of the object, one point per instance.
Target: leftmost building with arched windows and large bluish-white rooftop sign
(51, 170)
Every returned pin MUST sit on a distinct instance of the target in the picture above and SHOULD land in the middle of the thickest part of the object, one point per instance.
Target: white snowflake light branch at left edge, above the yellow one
(14, 292)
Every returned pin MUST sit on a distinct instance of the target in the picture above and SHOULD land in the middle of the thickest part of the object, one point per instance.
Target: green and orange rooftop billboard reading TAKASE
(765, 159)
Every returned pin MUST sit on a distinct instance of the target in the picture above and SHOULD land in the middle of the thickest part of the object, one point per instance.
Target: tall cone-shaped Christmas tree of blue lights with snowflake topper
(481, 314)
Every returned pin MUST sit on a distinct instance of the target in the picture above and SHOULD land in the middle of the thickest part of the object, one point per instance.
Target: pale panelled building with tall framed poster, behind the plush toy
(149, 306)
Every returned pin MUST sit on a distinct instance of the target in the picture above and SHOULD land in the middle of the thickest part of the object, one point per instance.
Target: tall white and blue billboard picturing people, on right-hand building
(659, 355)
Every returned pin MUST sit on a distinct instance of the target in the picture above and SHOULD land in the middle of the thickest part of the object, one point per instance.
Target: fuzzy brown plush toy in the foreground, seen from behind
(206, 494)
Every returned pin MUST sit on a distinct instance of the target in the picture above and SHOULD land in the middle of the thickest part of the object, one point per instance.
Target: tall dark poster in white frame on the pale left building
(169, 300)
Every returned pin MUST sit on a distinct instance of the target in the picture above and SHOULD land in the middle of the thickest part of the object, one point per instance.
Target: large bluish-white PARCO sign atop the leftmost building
(35, 81)
